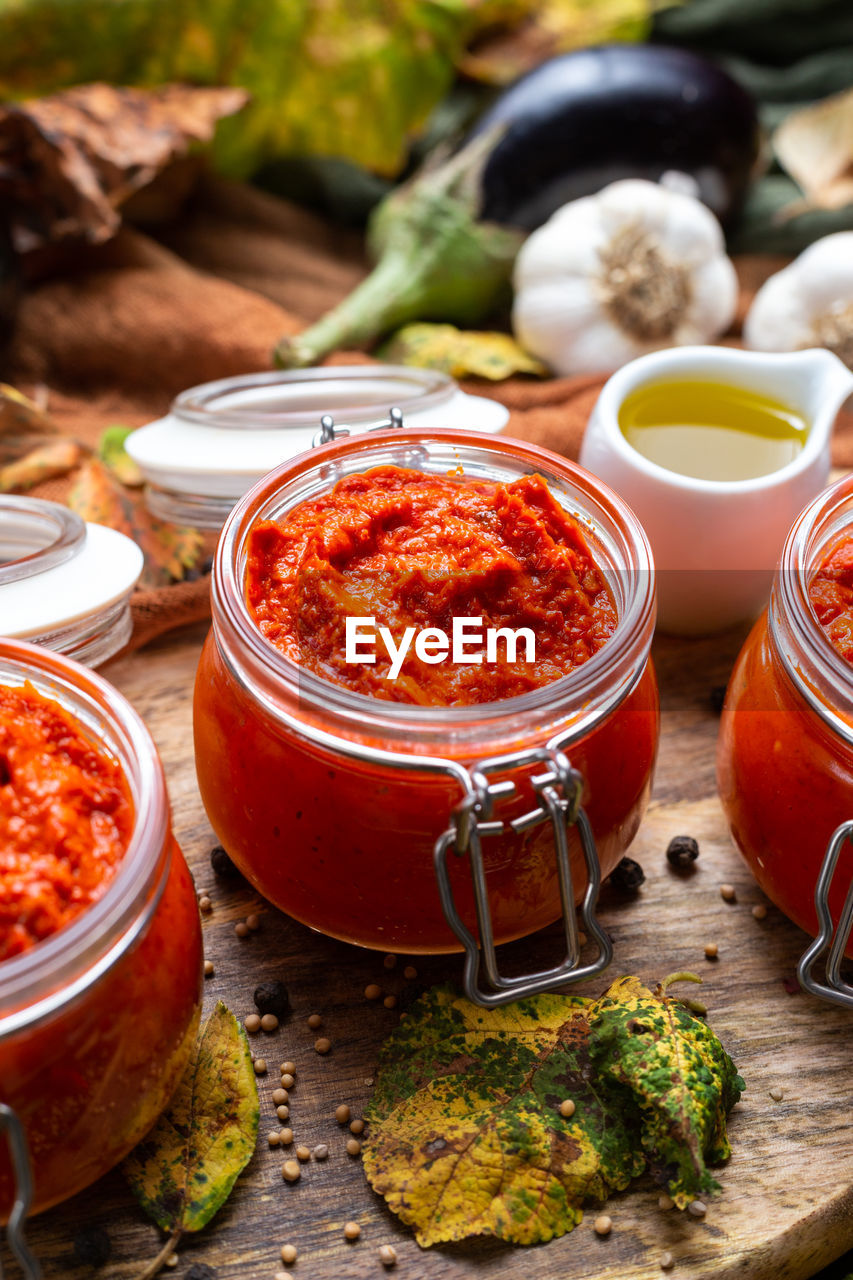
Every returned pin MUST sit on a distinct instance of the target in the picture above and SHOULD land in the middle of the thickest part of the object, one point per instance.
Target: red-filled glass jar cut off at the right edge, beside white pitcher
(786, 748)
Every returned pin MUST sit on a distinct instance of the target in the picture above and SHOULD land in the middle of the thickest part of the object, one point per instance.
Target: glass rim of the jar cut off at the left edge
(60, 968)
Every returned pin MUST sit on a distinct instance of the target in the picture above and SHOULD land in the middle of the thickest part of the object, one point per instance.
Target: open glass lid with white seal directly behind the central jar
(221, 438)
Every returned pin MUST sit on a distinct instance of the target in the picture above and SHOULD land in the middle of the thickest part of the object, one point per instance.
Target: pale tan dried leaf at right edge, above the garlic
(815, 147)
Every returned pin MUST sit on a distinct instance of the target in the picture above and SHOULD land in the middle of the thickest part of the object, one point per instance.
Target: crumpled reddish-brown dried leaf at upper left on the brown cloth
(69, 162)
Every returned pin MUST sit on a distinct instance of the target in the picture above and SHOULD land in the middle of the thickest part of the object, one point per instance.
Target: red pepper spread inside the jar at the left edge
(66, 820)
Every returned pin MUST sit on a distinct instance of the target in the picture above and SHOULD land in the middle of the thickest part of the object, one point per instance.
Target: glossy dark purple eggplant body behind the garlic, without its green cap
(585, 120)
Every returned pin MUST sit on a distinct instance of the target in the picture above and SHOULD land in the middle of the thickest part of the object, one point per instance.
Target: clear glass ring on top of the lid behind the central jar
(198, 405)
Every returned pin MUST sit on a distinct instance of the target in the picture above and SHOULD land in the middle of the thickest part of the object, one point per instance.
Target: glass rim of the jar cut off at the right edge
(819, 671)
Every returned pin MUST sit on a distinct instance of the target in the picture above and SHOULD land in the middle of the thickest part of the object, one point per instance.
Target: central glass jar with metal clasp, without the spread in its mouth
(348, 812)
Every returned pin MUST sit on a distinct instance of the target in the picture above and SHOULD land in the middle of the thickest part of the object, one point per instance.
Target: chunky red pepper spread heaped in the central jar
(412, 550)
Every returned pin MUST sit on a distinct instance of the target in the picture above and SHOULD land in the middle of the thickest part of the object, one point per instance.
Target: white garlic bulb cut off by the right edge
(809, 304)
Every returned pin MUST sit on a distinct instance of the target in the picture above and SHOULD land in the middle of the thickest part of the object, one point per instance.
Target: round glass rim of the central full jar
(271, 673)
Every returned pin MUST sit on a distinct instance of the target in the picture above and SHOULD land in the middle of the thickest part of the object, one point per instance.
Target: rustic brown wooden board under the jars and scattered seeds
(787, 1205)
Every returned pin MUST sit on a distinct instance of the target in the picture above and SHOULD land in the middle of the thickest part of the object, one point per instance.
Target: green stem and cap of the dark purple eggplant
(435, 260)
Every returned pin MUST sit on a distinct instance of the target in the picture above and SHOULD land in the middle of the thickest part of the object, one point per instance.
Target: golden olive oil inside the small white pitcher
(711, 431)
